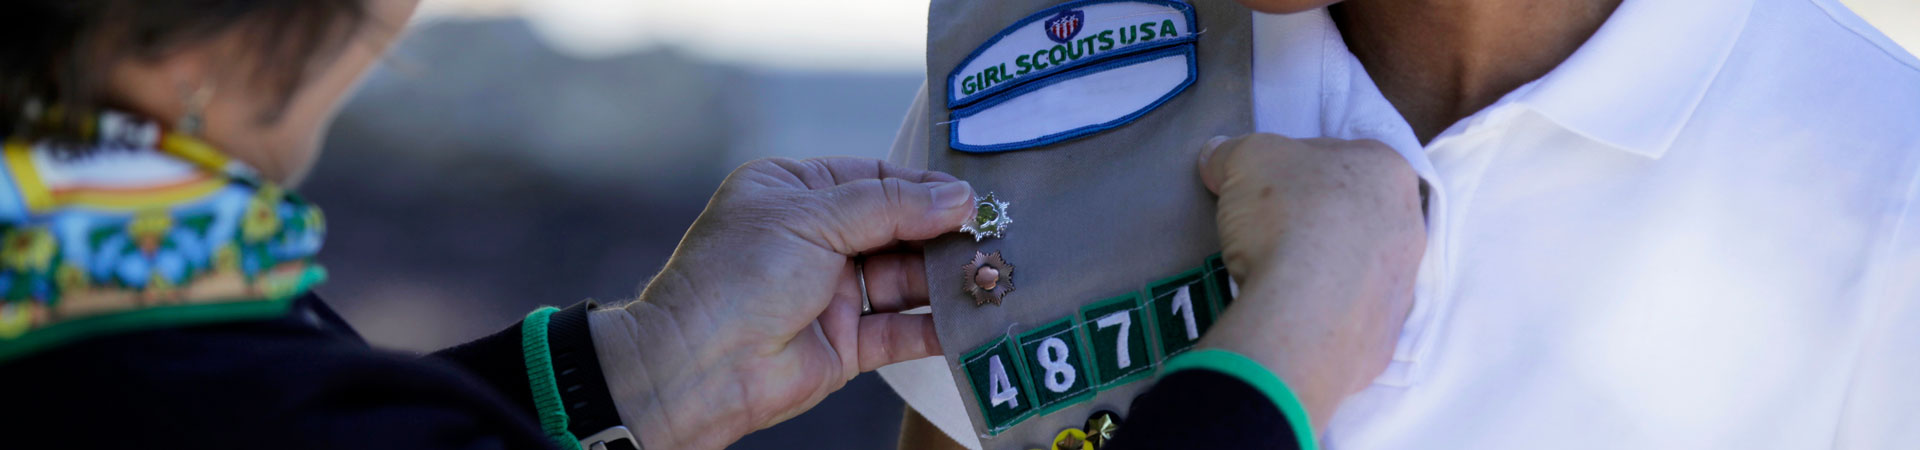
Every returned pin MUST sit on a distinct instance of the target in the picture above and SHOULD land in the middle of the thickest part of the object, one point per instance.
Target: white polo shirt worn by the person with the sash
(1694, 234)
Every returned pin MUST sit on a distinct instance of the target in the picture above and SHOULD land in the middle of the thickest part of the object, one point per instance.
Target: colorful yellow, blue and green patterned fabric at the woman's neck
(143, 230)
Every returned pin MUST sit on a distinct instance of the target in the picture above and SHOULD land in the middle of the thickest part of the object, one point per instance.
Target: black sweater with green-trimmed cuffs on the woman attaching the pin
(310, 382)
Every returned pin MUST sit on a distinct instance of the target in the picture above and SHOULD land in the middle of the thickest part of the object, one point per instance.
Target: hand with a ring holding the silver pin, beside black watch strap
(763, 303)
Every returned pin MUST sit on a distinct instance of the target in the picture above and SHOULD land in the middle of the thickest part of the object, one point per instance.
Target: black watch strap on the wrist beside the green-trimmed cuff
(579, 376)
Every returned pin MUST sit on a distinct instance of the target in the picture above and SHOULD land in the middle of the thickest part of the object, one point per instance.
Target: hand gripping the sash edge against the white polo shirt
(1326, 239)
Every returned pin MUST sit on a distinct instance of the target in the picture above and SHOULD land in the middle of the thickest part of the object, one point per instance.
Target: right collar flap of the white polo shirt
(1639, 80)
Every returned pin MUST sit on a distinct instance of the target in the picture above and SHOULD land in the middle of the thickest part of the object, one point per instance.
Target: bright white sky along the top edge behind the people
(815, 36)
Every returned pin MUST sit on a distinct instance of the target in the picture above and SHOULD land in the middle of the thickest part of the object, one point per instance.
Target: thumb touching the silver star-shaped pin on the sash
(878, 212)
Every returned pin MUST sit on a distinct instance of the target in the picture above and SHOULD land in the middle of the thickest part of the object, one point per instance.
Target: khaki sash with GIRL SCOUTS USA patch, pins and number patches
(1088, 118)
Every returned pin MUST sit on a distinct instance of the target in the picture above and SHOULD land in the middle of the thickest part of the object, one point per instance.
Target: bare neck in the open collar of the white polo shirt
(1443, 61)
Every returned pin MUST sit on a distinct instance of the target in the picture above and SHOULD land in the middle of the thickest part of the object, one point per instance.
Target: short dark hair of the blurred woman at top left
(57, 53)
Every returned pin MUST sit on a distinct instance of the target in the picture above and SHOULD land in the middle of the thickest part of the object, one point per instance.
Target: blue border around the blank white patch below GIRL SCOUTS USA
(953, 124)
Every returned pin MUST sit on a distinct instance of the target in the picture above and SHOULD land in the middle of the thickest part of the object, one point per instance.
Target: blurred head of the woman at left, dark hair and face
(262, 78)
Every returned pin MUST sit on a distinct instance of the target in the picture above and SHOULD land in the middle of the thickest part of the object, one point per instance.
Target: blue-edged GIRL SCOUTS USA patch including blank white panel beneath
(1072, 70)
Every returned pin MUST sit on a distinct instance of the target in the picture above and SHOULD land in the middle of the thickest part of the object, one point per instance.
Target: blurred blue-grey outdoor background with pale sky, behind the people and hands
(525, 153)
